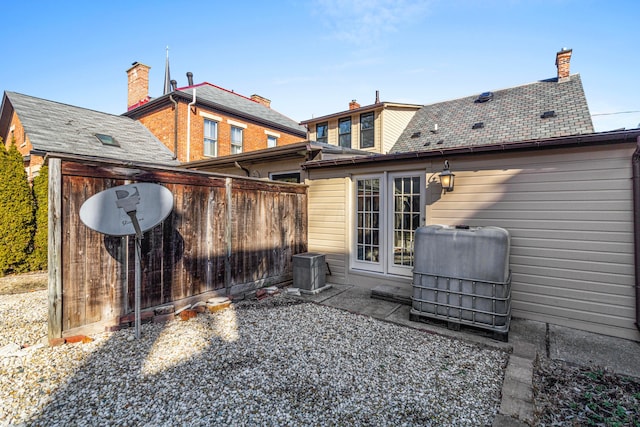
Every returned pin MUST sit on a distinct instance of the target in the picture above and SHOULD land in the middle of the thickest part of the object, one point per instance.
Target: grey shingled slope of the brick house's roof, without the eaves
(229, 100)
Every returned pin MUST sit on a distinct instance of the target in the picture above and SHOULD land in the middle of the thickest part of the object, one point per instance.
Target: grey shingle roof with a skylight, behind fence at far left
(61, 128)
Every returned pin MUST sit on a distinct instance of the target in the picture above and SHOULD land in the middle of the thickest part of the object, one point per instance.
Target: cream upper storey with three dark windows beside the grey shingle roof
(373, 128)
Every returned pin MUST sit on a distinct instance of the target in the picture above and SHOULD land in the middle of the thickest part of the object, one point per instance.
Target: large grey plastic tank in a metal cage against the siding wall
(461, 276)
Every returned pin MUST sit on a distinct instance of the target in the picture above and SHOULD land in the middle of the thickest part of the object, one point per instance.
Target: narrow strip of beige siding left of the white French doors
(327, 224)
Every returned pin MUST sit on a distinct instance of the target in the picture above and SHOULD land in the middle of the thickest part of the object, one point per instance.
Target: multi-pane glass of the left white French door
(368, 220)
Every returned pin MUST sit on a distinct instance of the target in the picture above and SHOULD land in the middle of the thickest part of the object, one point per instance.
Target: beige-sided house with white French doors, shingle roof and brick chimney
(564, 193)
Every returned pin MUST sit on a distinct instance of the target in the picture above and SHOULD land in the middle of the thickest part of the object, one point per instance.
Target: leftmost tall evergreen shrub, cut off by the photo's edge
(17, 223)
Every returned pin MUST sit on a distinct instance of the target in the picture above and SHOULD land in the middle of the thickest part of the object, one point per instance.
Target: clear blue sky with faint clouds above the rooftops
(310, 58)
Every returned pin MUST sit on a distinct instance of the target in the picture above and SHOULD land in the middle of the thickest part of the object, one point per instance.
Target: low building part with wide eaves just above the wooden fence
(278, 164)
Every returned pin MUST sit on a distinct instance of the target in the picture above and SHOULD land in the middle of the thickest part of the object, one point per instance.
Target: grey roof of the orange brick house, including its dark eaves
(220, 99)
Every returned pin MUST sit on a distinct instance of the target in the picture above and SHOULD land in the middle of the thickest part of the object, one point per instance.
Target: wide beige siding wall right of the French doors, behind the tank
(570, 217)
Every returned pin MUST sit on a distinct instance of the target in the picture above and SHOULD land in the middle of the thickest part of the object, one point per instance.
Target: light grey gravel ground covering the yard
(272, 362)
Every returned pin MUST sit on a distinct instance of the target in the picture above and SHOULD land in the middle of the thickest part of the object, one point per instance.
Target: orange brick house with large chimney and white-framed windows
(203, 120)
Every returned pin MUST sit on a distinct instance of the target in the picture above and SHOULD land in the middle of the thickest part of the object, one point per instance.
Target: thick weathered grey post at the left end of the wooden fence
(55, 249)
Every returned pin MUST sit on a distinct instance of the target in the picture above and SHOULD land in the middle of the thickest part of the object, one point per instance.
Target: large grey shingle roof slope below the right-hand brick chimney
(512, 115)
